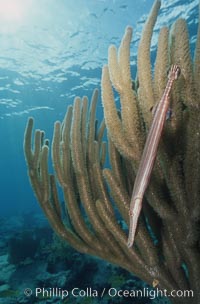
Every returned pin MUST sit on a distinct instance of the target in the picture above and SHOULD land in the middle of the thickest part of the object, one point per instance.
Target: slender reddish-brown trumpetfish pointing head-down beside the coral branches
(149, 154)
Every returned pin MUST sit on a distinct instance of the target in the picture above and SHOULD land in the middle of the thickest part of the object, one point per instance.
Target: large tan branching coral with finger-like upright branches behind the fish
(97, 198)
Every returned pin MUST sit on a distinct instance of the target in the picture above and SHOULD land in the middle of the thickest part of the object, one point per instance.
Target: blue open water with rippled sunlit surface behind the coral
(51, 51)
